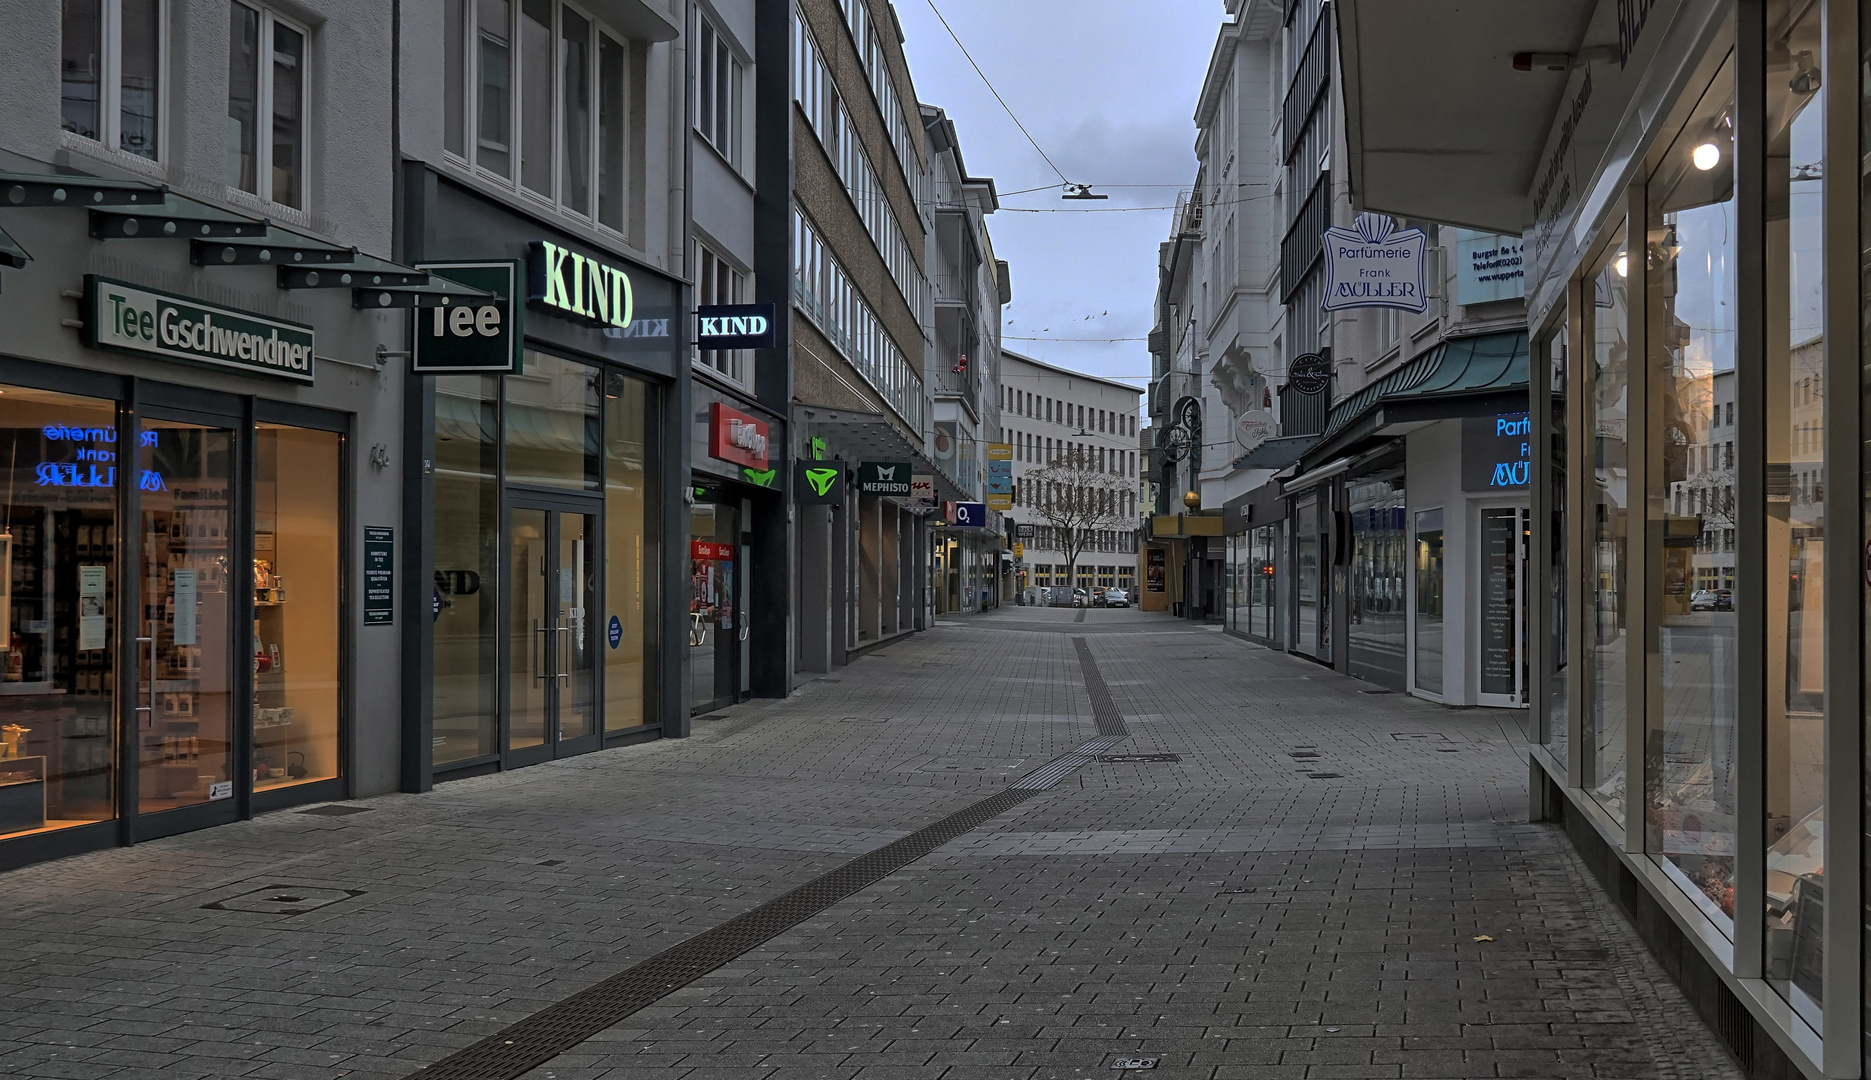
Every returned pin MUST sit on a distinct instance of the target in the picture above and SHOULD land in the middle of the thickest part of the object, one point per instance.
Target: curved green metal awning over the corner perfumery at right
(1477, 375)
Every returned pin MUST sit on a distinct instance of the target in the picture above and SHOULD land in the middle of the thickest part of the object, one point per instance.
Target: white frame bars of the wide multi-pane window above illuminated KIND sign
(469, 95)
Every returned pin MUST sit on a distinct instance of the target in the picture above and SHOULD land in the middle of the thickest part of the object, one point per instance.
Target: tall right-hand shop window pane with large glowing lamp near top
(1690, 278)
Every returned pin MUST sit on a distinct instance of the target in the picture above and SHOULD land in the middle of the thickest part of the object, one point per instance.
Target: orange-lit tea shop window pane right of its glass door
(295, 606)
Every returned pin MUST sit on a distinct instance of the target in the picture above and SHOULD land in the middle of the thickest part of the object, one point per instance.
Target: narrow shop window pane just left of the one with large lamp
(1608, 506)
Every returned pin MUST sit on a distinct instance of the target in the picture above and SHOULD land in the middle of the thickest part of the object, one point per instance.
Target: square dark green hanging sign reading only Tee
(476, 338)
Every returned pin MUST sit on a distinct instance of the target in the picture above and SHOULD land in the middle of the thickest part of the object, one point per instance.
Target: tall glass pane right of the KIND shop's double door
(630, 544)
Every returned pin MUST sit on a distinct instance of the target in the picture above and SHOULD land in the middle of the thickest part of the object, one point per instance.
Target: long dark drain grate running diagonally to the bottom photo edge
(558, 1029)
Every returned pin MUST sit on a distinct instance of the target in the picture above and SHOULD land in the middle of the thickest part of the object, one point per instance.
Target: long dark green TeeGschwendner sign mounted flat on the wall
(154, 323)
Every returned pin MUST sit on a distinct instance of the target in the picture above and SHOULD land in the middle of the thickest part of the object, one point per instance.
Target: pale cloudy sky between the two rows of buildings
(1109, 91)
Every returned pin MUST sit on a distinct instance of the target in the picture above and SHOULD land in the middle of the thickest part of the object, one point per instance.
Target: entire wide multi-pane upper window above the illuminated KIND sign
(547, 83)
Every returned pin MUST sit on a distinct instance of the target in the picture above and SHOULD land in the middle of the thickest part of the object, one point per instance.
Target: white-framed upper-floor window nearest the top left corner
(111, 72)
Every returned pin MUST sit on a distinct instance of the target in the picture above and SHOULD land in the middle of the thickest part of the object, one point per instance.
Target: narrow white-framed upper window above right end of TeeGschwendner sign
(267, 106)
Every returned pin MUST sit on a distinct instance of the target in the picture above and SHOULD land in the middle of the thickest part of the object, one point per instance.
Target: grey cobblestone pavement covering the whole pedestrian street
(1303, 894)
